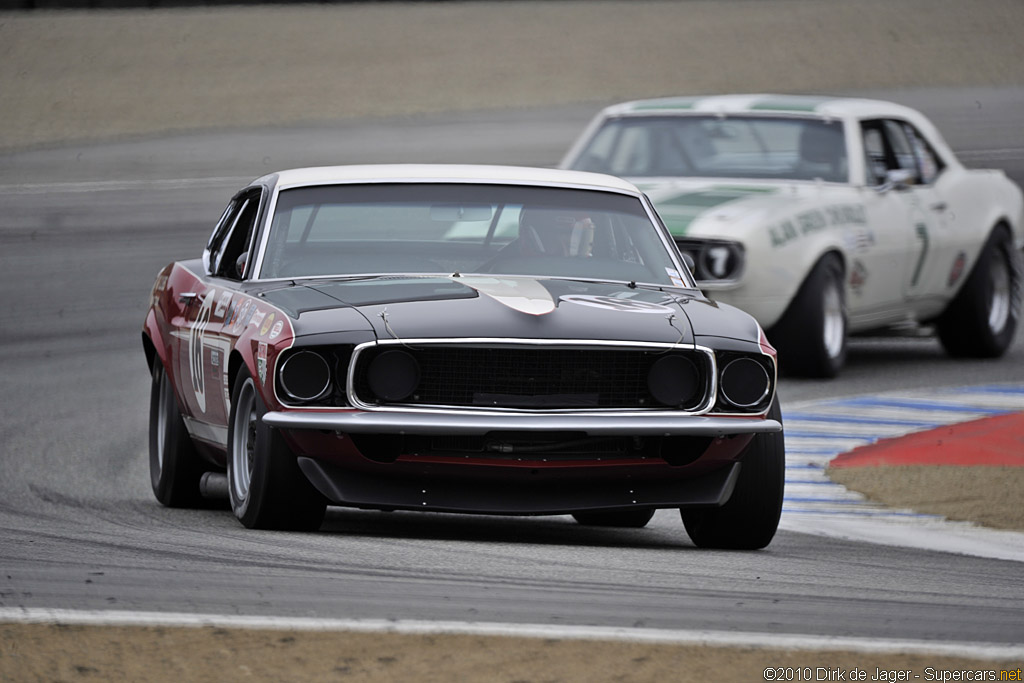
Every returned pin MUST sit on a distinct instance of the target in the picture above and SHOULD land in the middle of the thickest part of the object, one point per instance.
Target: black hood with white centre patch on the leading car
(496, 308)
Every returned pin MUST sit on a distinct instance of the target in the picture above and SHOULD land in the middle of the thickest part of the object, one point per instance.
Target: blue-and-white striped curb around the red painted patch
(818, 432)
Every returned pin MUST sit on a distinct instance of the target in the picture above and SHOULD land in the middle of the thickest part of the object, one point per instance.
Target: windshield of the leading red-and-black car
(446, 229)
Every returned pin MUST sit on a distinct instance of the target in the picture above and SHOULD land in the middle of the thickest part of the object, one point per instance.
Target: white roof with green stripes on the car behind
(825, 106)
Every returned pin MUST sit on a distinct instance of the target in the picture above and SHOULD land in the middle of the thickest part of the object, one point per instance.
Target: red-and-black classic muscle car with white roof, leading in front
(368, 337)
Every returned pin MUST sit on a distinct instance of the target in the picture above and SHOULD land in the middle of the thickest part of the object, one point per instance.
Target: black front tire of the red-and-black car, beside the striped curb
(750, 519)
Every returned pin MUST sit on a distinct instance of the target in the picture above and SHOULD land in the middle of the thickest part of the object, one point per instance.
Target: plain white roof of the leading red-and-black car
(448, 174)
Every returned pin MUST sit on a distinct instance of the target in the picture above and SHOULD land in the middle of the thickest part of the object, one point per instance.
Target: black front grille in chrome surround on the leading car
(532, 377)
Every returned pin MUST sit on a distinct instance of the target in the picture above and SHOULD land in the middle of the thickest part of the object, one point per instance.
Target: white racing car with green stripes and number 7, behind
(824, 217)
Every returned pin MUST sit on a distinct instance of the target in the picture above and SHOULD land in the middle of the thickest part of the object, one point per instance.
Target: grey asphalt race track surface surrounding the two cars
(83, 232)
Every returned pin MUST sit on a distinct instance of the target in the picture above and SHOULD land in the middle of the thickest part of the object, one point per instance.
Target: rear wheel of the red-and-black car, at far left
(176, 466)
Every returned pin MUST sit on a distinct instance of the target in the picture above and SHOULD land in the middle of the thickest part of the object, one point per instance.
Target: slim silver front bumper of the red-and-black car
(358, 422)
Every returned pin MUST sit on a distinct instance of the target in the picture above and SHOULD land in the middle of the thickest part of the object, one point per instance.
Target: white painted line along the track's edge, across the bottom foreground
(804, 643)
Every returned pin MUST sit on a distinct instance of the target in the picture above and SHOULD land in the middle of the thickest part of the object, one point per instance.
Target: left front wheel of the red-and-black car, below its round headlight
(265, 484)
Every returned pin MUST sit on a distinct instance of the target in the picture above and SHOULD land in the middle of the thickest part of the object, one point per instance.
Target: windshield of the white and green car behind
(748, 147)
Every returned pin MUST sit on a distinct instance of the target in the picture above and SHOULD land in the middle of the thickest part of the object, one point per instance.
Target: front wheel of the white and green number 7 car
(812, 336)
